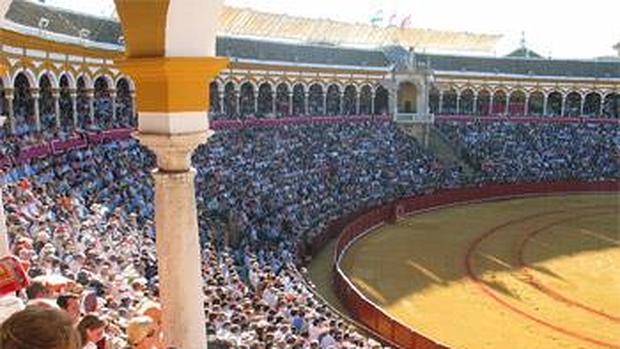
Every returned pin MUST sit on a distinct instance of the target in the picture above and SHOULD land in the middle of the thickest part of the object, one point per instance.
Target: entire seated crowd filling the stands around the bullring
(82, 221)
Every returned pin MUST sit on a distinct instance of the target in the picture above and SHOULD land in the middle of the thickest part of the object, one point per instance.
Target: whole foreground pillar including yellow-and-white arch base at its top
(171, 68)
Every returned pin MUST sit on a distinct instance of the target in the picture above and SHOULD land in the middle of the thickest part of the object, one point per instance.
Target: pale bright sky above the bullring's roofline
(561, 29)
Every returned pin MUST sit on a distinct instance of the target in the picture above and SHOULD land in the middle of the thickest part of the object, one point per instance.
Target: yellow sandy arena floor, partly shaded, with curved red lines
(537, 273)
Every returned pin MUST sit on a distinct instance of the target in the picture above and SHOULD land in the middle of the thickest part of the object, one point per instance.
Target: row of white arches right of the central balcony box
(523, 102)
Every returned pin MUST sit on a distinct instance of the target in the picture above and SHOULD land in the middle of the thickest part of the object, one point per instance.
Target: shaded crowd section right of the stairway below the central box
(509, 152)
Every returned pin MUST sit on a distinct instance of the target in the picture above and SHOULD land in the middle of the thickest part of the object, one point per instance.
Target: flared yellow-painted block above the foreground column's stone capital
(173, 84)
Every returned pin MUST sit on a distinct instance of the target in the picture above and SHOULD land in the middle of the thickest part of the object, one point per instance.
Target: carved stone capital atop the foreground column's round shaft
(173, 151)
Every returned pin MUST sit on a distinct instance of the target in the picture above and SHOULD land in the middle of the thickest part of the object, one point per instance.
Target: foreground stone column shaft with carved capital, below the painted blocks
(178, 245)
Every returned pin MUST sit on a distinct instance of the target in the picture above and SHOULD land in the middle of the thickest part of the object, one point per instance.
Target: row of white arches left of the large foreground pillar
(51, 101)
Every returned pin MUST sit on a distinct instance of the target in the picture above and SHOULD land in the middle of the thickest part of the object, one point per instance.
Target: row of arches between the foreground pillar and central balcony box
(231, 98)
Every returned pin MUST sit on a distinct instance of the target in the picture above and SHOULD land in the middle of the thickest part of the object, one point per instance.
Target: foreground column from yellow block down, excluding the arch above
(173, 99)
